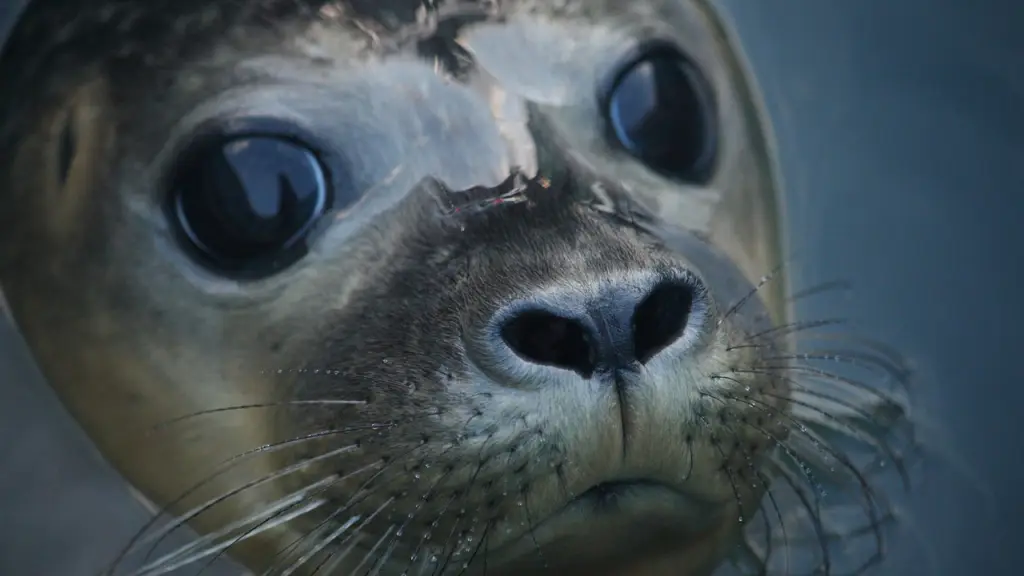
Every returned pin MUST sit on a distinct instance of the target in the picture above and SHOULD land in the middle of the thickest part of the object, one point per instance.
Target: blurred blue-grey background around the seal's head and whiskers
(901, 133)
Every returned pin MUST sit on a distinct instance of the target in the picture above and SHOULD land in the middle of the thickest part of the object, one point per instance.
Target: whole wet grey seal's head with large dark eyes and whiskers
(397, 287)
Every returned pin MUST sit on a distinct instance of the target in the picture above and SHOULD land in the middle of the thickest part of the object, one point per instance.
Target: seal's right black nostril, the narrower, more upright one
(661, 319)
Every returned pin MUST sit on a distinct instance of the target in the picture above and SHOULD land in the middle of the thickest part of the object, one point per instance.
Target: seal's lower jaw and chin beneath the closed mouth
(638, 539)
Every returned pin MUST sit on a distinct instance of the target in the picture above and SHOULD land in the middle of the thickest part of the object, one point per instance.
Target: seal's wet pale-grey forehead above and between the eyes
(173, 65)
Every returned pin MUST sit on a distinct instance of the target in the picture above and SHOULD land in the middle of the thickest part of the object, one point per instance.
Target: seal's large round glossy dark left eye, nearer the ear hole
(249, 197)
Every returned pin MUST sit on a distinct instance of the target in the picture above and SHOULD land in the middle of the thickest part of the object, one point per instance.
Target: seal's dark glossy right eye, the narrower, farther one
(660, 108)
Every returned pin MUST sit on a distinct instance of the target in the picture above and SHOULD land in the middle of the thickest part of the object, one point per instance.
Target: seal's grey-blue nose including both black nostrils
(621, 325)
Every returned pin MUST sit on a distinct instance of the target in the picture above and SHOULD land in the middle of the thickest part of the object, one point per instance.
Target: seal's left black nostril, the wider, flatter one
(543, 338)
